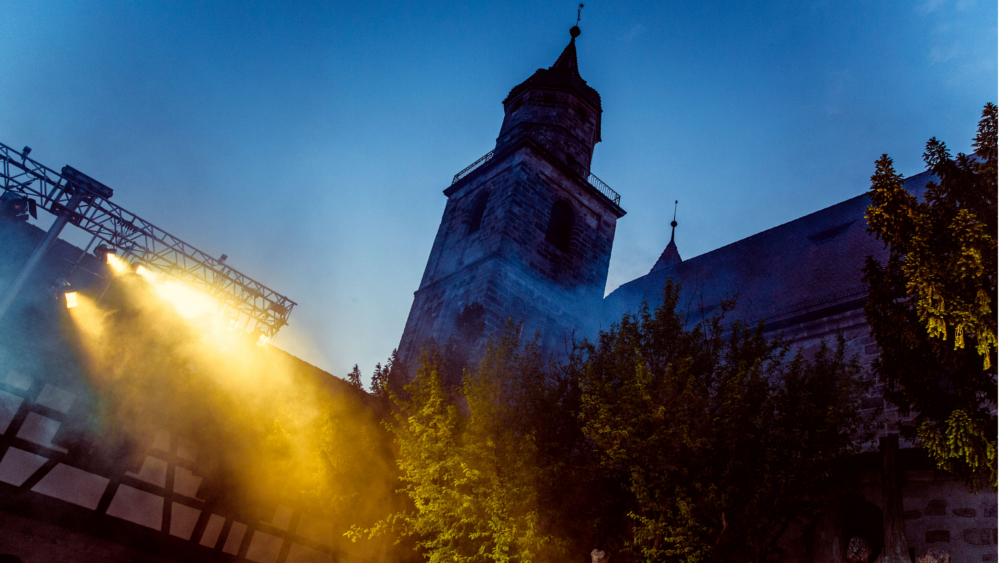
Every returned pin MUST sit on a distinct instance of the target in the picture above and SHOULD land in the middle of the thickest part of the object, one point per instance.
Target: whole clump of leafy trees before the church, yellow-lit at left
(656, 443)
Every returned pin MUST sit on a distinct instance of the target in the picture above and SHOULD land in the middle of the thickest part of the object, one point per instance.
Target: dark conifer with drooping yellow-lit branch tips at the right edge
(931, 304)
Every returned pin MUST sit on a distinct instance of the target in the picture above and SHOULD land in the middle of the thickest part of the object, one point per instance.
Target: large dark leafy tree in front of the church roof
(723, 439)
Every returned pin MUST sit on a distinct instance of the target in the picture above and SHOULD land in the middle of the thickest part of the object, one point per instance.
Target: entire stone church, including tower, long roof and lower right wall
(528, 231)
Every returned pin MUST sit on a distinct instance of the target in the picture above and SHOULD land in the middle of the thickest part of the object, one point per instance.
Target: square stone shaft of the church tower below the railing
(507, 265)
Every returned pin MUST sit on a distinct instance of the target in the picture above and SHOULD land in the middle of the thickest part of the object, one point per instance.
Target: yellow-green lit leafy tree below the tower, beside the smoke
(470, 462)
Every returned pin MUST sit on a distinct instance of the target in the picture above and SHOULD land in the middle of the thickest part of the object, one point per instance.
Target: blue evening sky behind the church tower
(311, 141)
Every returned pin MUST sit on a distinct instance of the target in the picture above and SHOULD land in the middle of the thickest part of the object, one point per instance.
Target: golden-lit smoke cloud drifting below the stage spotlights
(270, 429)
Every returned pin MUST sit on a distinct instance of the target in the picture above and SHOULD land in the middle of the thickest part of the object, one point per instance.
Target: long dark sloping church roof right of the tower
(807, 264)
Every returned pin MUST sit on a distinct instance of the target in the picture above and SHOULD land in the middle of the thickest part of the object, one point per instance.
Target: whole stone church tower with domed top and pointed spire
(527, 230)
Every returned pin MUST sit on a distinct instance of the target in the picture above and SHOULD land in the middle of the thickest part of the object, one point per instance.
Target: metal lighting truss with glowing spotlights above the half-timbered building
(133, 235)
